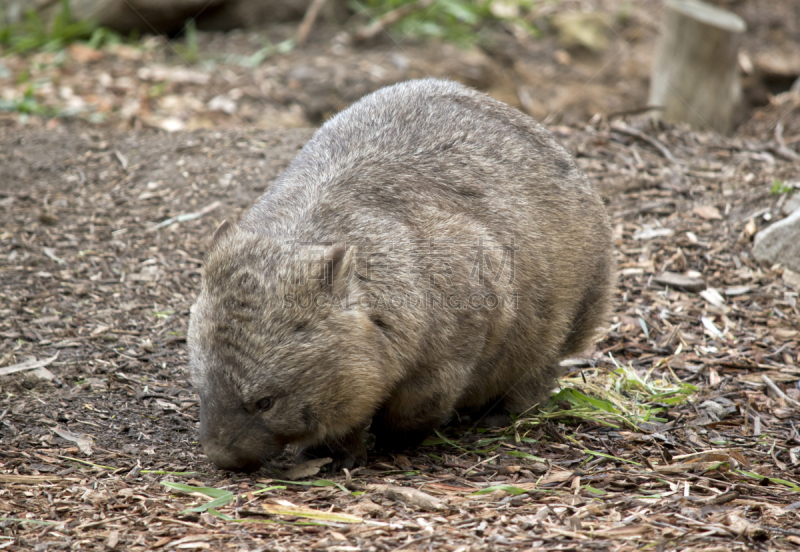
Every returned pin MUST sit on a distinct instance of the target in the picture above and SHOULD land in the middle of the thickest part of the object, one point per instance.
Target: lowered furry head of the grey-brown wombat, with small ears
(277, 354)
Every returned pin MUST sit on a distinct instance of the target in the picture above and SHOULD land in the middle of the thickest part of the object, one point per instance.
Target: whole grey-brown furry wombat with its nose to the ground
(430, 249)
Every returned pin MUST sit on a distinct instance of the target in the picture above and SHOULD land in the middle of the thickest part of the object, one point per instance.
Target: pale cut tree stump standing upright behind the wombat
(696, 71)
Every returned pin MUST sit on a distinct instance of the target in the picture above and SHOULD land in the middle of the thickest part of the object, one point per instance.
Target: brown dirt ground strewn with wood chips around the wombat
(98, 271)
